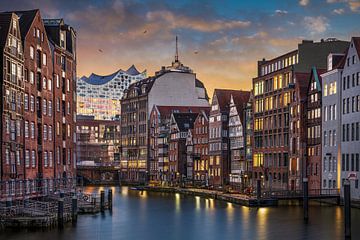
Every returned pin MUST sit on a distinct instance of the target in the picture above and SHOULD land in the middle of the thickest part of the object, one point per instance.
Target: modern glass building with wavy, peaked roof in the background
(99, 96)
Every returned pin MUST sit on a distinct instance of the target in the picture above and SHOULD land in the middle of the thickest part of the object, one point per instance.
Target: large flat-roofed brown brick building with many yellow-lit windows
(273, 95)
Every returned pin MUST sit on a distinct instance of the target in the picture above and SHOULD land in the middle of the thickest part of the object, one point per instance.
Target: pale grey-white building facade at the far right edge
(350, 118)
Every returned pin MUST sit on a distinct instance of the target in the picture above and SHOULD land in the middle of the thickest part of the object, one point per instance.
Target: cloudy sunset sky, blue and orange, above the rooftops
(220, 40)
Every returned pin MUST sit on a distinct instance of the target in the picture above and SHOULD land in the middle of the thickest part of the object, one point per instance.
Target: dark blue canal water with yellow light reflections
(157, 216)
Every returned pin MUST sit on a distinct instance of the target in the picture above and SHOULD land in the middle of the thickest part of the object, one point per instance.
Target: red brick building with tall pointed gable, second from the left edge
(38, 100)
